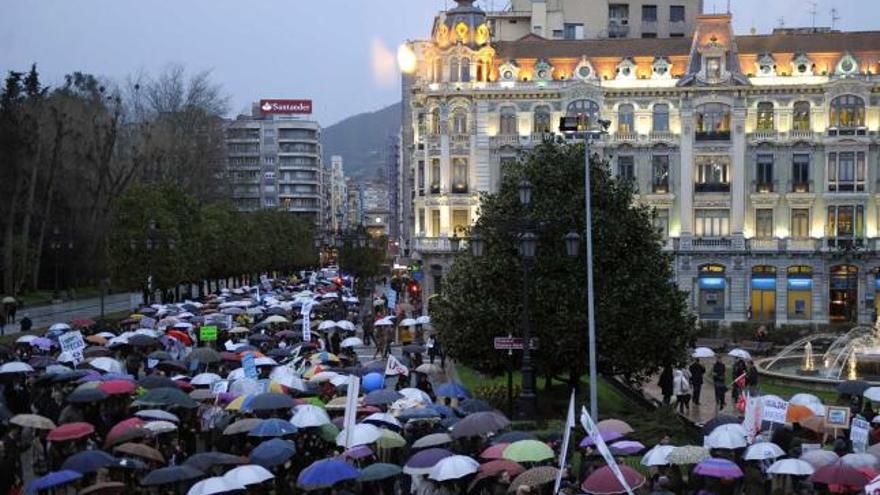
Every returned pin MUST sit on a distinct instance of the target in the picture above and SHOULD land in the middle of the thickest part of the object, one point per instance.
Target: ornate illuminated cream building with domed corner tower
(759, 154)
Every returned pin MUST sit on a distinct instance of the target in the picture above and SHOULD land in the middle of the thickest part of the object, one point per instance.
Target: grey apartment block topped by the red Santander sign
(274, 161)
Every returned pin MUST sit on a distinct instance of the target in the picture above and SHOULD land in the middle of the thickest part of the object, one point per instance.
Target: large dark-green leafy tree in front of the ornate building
(642, 318)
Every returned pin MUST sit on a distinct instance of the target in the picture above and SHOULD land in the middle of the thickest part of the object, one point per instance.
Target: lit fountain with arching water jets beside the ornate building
(851, 356)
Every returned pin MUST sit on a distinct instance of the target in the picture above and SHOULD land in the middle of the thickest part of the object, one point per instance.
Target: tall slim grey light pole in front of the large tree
(575, 125)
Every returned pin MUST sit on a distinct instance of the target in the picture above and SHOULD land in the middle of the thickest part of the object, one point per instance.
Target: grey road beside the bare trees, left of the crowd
(44, 316)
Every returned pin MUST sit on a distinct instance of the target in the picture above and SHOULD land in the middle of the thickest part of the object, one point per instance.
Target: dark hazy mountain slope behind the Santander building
(362, 141)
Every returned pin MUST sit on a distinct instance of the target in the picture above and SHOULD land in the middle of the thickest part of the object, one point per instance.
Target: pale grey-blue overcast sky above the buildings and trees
(339, 53)
